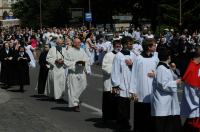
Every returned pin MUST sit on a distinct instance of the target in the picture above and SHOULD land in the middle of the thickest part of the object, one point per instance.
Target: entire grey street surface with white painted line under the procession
(29, 112)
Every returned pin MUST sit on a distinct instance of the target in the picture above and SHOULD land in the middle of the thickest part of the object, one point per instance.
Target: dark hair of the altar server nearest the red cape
(163, 53)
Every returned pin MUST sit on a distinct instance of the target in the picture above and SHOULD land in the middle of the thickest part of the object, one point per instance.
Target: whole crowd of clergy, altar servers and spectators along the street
(136, 66)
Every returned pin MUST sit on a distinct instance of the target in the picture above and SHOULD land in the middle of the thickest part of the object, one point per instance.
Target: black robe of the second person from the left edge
(22, 69)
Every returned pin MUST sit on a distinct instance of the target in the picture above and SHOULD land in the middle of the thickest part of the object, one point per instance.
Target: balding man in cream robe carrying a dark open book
(77, 63)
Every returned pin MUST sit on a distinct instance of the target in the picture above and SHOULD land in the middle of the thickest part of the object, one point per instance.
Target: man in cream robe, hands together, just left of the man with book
(56, 79)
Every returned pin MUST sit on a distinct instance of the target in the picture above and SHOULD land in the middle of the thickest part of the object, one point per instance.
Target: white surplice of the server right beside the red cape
(165, 100)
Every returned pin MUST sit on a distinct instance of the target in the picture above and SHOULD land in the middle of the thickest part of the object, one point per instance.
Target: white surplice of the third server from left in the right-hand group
(139, 78)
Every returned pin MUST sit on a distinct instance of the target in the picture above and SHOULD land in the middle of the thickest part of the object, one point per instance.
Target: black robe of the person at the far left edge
(7, 67)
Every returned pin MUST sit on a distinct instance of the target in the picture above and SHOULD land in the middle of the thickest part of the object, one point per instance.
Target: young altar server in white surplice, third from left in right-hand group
(142, 77)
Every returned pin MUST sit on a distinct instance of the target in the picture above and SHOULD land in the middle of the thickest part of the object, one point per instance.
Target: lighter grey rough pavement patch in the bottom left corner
(15, 116)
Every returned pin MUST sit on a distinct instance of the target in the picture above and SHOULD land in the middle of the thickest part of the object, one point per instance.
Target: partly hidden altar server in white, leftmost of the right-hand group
(109, 104)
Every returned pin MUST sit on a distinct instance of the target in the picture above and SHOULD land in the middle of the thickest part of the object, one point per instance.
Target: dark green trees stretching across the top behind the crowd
(160, 12)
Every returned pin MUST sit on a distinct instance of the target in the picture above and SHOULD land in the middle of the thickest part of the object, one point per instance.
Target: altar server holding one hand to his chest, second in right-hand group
(121, 79)
